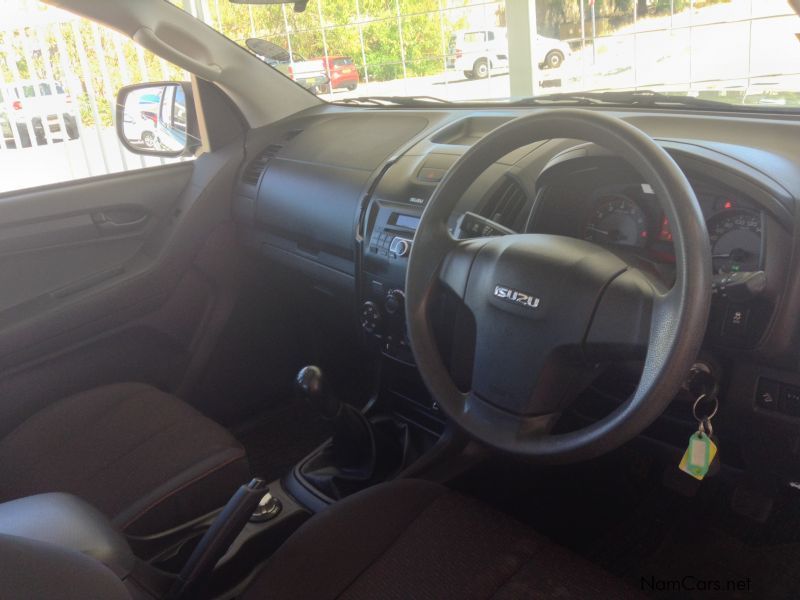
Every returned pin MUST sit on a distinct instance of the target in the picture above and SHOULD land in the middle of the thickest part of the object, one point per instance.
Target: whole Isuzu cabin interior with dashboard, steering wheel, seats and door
(404, 349)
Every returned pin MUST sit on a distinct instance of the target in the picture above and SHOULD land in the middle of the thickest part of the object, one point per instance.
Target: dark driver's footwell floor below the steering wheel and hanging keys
(664, 544)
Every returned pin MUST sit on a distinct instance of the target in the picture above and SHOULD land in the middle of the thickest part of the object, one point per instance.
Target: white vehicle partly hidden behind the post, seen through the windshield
(477, 52)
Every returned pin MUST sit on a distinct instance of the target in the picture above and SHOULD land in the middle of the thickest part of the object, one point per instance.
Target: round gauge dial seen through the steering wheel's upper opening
(617, 220)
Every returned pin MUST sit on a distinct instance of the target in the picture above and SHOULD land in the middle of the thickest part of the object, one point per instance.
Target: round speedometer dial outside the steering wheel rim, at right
(735, 241)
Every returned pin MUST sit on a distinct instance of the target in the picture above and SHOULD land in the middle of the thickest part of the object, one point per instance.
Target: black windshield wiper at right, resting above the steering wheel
(646, 98)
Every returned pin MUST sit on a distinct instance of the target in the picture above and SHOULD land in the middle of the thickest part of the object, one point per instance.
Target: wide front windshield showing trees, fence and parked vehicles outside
(742, 52)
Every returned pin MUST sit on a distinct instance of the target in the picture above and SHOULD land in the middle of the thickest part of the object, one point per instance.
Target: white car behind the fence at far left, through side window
(32, 105)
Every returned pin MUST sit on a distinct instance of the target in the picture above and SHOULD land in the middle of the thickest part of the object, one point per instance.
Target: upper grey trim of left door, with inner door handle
(57, 240)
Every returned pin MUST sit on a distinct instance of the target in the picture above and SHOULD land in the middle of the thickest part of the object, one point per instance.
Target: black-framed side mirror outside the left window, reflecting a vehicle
(158, 119)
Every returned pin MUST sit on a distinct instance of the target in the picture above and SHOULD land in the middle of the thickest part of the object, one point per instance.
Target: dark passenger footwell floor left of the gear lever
(276, 440)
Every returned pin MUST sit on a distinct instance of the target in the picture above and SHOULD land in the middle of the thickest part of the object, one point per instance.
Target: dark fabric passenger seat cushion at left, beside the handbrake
(145, 458)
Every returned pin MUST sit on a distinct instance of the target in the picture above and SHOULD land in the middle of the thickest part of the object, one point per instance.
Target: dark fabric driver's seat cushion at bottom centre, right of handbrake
(416, 540)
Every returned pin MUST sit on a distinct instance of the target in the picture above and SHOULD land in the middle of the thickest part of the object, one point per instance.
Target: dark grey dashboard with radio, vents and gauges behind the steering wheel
(335, 195)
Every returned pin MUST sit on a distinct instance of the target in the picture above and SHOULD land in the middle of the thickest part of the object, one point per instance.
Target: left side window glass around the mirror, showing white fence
(58, 111)
